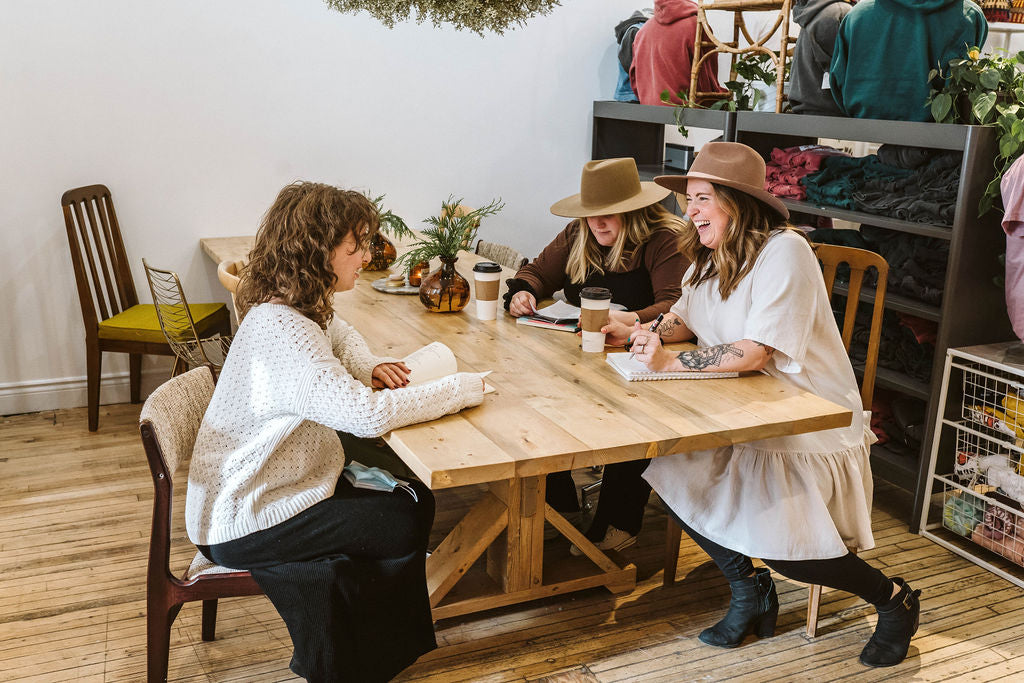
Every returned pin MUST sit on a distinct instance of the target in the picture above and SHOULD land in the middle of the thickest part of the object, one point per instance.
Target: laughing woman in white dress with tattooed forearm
(755, 300)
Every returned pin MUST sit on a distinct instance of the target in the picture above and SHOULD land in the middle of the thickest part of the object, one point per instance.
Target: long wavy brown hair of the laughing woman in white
(751, 224)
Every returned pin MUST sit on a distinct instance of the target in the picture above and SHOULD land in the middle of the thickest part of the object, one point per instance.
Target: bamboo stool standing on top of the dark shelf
(707, 46)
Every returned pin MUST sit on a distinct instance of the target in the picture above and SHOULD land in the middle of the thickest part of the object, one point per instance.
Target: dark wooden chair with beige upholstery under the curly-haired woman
(168, 424)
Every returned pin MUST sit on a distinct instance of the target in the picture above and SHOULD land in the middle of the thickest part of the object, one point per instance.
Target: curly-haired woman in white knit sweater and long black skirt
(345, 567)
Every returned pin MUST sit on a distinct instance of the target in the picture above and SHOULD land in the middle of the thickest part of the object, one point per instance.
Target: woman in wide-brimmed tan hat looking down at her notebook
(621, 238)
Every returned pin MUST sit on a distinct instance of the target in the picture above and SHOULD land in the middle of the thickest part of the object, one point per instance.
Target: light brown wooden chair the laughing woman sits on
(831, 258)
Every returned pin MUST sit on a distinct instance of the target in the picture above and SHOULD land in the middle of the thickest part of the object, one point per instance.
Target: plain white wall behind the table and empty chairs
(195, 114)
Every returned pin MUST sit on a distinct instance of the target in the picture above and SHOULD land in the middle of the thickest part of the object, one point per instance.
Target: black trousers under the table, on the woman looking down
(621, 504)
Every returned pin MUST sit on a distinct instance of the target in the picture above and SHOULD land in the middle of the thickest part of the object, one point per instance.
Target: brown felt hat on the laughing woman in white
(731, 164)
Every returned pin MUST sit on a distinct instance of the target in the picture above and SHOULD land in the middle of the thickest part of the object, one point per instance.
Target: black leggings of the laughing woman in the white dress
(848, 573)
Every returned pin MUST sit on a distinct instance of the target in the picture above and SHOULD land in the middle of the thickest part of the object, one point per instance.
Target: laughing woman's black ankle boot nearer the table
(754, 608)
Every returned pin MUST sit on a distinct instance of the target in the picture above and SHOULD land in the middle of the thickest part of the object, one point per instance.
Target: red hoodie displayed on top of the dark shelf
(663, 55)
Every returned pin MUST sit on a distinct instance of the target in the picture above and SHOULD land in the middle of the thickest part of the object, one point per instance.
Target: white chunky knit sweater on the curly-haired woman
(268, 448)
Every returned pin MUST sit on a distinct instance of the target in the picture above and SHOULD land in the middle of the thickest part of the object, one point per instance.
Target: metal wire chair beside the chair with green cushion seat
(179, 327)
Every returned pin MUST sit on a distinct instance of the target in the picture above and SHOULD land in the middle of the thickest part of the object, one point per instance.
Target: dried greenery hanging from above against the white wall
(477, 16)
